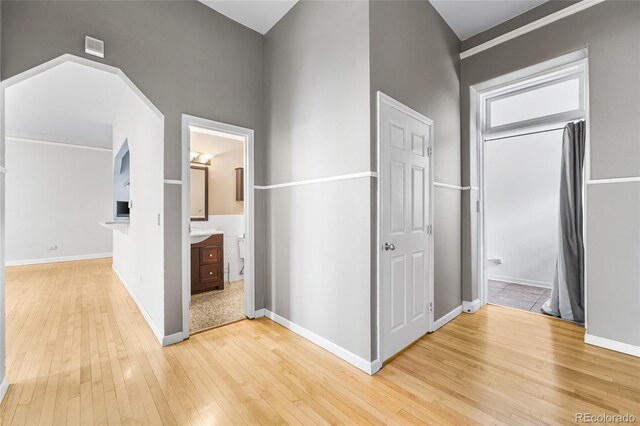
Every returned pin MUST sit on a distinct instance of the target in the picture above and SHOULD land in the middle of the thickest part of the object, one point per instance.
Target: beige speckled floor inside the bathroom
(217, 307)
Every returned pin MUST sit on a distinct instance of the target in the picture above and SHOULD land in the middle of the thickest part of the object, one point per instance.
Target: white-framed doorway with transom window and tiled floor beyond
(521, 126)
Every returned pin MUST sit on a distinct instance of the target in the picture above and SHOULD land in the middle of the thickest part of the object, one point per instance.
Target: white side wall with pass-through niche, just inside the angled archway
(138, 254)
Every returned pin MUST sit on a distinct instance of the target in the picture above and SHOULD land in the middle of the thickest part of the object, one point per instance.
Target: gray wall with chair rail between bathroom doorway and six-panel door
(317, 125)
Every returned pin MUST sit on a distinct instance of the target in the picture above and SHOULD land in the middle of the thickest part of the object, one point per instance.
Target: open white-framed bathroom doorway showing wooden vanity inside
(218, 185)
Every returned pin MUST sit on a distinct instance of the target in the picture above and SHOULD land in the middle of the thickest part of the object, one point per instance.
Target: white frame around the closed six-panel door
(385, 99)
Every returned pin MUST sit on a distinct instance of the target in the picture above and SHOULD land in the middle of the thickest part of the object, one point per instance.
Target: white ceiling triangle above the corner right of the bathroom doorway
(259, 15)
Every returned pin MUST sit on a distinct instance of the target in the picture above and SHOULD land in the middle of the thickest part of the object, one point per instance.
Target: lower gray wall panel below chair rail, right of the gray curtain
(613, 270)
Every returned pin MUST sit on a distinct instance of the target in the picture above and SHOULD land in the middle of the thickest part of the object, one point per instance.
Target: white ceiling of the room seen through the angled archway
(70, 103)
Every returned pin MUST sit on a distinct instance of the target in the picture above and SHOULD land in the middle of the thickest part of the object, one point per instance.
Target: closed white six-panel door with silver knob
(405, 240)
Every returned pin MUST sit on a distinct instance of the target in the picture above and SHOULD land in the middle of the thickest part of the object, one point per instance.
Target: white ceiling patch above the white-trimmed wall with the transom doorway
(470, 17)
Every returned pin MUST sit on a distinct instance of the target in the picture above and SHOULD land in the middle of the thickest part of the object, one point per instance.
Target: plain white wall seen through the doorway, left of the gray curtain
(522, 200)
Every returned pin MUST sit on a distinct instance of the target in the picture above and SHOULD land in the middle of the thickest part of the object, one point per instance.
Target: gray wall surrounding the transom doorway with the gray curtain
(611, 32)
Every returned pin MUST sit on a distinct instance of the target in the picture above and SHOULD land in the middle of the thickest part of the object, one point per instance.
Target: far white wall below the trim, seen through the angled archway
(55, 197)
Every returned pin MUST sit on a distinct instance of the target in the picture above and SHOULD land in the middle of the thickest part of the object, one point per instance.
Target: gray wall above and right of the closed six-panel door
(414, 59)
